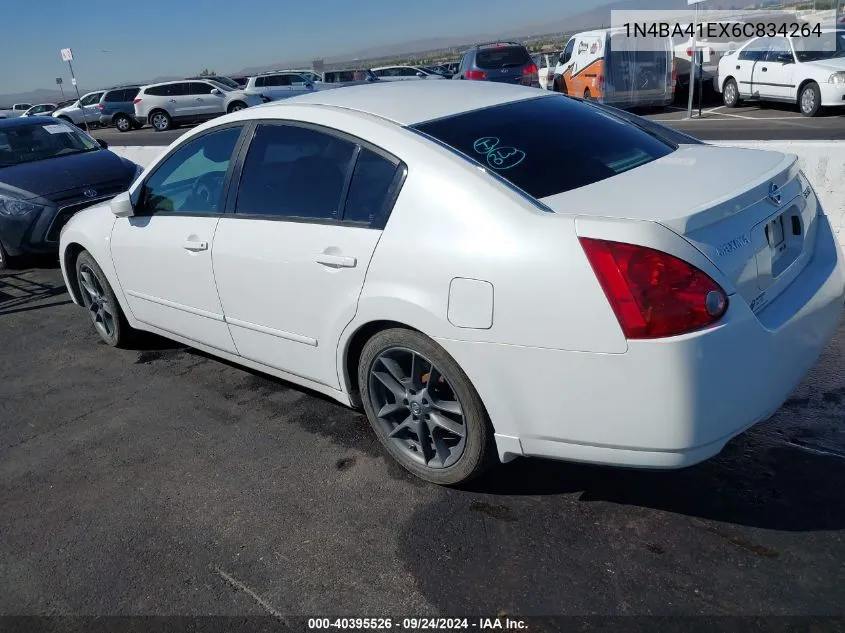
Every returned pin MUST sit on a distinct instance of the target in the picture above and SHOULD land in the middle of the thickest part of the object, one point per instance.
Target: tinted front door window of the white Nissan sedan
(191, 179)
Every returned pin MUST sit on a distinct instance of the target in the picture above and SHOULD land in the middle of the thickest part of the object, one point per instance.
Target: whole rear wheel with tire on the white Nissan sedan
(411, 430)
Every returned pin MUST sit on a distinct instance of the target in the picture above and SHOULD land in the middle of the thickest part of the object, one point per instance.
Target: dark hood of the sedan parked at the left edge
(45, 178)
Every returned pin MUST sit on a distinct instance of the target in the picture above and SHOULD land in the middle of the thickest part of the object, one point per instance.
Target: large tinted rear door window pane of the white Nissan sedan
(293, 171)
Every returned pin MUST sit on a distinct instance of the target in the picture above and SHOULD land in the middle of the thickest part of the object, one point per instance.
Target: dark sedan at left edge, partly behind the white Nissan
(49, 170)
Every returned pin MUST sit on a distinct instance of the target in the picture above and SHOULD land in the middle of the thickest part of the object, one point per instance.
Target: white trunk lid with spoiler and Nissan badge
(750, 212)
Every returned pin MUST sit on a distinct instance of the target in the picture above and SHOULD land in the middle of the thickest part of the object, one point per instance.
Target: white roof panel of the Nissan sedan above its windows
(412, 102)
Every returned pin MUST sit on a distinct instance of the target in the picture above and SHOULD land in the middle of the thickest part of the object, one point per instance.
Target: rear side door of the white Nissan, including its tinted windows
(290, 261)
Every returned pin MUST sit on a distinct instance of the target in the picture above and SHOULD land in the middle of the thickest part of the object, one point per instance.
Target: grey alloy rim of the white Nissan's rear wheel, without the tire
(417, 408)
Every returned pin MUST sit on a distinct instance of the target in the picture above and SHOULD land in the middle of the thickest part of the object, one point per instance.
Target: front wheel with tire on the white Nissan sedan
(102, 306)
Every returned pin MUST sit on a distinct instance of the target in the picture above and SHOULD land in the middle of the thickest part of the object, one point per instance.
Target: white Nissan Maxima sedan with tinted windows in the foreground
(484, 290)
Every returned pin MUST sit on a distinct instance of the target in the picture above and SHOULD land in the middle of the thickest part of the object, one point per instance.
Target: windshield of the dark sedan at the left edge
(30, 143)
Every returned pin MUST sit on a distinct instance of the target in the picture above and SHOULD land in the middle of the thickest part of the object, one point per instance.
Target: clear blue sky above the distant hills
(114, 42)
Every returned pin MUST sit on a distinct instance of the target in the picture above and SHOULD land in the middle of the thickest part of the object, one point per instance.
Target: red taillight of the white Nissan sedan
(652, 293)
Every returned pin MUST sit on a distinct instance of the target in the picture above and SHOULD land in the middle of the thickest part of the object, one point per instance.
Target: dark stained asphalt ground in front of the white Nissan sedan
(161, 481)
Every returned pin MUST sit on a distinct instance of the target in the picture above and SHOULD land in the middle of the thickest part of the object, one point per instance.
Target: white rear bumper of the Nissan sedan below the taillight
(662, 404)
